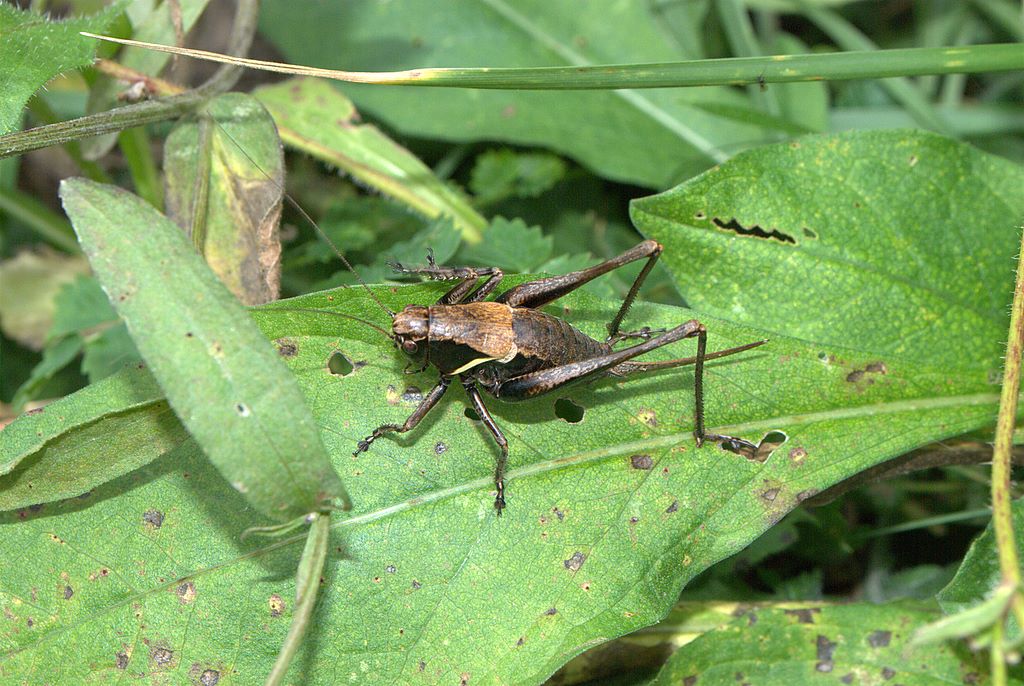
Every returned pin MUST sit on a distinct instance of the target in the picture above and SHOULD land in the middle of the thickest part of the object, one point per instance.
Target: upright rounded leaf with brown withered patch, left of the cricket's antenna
(225, 187)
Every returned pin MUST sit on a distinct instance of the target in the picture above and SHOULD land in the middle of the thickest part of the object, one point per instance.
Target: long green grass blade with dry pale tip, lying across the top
(732, 71)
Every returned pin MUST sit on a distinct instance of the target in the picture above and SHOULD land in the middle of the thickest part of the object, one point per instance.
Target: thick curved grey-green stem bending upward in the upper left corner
(142, 113)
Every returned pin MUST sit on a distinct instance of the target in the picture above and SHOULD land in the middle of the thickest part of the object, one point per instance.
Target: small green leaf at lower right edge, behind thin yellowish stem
(979, 577)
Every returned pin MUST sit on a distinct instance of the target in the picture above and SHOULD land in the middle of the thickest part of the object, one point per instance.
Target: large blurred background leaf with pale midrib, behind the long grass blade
(650, 138)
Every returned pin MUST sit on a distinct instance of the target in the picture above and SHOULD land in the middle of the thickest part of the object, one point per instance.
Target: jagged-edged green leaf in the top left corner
(34, 51)
